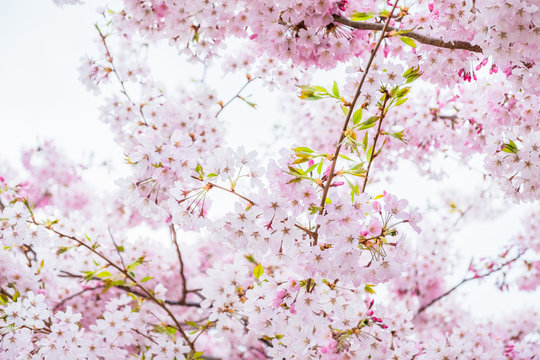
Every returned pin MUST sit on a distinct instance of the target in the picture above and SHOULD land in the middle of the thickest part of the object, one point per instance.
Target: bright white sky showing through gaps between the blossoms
(41, 98)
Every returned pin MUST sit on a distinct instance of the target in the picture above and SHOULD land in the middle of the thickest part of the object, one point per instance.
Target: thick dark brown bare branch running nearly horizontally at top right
(454, 45)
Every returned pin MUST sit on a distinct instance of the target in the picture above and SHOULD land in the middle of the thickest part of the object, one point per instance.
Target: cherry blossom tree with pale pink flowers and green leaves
(207, 250)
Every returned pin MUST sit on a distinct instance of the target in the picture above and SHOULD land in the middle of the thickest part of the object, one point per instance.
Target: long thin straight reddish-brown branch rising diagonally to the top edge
(348, 117)
